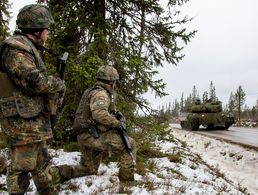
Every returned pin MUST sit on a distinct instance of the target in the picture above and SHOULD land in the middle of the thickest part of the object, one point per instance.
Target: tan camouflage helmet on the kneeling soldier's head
(107, 73)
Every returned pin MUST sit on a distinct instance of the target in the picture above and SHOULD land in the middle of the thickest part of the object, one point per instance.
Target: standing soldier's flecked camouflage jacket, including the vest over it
(33, 88)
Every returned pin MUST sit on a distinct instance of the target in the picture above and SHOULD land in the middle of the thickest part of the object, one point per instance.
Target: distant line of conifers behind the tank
(236, 103)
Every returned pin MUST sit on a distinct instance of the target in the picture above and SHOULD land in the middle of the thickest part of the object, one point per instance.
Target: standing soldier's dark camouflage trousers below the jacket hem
(30, 158)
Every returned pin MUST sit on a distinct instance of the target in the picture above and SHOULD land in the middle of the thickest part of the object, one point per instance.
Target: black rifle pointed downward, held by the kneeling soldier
(123, 134)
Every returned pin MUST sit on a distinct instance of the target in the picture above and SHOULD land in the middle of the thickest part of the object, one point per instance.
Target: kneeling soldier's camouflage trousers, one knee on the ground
(92, 152)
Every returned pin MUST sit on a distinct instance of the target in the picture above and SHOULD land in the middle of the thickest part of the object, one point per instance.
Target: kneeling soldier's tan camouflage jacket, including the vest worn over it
(95, 108)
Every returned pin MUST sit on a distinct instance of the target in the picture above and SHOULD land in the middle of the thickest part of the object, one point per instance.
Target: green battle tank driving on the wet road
(209, 115)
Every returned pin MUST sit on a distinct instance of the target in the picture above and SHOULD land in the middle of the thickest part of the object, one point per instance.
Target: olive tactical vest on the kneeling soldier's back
(83, 112)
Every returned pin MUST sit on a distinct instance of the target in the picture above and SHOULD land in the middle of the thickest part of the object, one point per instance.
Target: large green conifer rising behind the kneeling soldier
(134, 36)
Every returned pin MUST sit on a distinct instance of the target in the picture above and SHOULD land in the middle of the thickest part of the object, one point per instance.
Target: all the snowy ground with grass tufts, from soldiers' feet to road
(194, 164)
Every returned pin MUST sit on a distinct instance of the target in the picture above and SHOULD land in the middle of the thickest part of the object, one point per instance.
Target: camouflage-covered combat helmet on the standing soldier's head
(34, 16)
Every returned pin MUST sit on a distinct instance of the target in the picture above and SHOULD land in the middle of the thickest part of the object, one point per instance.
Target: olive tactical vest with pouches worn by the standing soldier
(12, 100)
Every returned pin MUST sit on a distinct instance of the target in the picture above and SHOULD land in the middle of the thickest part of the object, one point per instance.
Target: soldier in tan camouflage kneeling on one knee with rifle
(95, 110)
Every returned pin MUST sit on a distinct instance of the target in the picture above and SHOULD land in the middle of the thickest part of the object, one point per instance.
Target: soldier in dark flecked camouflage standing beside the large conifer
(26, 90)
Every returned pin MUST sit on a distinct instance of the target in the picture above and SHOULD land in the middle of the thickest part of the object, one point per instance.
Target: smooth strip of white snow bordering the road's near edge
(238, 163)
